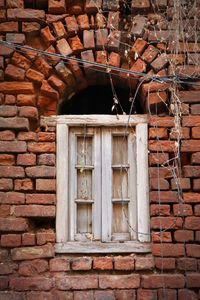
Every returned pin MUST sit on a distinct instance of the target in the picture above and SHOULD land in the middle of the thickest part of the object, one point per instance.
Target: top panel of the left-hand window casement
(84, 151)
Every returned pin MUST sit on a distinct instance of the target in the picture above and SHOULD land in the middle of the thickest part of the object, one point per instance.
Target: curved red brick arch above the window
(84, 33)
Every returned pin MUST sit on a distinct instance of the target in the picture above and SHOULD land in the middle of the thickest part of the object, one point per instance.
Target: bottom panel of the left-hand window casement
(84, 218)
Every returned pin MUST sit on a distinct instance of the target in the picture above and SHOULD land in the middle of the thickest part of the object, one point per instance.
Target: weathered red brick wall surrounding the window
(32, 85)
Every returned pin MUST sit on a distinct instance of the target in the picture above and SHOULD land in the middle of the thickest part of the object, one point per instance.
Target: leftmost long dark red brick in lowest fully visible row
(33, 283)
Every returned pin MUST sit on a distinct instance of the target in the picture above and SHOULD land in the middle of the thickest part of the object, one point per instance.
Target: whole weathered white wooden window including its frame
(102, 184)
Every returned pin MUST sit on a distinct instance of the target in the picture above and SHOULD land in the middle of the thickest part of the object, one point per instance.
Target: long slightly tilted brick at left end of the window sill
(27, 253)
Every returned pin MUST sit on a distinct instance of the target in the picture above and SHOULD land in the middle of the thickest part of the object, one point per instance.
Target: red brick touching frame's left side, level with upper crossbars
(40, 172)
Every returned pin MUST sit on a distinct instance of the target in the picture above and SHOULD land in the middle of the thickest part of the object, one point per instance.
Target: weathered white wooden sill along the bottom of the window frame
(98, 247)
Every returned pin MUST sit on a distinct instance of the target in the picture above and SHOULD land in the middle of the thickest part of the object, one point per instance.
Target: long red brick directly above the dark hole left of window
(34, 211)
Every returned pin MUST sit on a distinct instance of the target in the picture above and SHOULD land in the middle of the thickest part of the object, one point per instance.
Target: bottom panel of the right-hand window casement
(120, 218)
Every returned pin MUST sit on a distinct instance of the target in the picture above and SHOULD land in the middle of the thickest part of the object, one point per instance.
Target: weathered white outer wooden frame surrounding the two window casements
(63, 235)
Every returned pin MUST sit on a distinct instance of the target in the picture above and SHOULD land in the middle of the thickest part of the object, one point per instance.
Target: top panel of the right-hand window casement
(119, 150)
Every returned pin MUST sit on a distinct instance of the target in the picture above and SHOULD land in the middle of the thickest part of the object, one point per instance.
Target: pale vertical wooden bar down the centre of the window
(106, 184)
